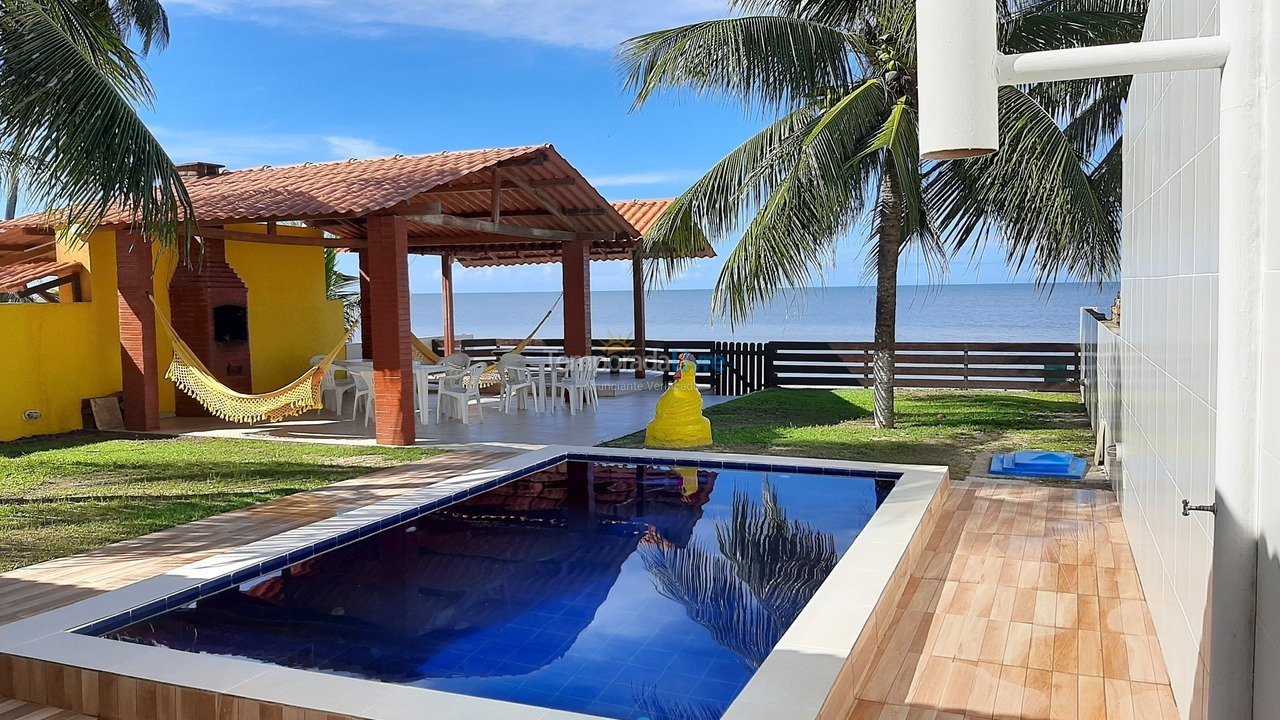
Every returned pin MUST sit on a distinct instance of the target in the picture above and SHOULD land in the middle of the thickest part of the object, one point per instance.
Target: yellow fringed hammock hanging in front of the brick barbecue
(193, 377)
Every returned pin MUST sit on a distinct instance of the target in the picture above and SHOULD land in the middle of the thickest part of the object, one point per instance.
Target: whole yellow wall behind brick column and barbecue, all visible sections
(58, 354)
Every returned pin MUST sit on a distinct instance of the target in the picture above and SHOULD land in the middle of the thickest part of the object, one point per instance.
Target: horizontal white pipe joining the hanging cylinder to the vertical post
(1108, 61)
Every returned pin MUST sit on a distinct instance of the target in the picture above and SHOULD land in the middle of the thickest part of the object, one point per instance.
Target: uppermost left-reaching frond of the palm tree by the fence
(765, 62)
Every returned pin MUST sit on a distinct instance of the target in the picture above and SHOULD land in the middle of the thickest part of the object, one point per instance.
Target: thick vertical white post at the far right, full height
(1242, 200)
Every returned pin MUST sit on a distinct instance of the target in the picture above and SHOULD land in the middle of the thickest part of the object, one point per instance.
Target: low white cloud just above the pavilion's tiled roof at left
(248, 149)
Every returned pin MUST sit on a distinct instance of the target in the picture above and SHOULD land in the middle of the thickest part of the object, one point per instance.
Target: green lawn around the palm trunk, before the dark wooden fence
(934, 429)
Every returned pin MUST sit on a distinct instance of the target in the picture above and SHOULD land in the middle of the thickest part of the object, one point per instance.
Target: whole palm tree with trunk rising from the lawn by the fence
(838, 80)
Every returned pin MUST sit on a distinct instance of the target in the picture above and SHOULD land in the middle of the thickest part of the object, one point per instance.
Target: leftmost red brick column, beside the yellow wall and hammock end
(140, 368)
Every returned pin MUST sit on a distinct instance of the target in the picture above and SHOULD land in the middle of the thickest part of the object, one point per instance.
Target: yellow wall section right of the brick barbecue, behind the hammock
(290, 317)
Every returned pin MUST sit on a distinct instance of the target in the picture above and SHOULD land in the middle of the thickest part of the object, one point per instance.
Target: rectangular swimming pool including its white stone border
(565, 584)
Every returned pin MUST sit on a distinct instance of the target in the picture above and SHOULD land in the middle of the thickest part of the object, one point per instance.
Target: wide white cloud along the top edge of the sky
(579, 24)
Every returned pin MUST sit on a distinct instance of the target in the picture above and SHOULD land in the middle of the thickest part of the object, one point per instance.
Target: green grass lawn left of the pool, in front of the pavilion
(71, 494)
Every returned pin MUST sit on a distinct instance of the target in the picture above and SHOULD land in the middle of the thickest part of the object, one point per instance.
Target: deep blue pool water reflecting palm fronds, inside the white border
(621, 591)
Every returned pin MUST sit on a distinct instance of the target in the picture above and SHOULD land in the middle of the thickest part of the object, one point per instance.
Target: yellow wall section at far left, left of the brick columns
(58, 354)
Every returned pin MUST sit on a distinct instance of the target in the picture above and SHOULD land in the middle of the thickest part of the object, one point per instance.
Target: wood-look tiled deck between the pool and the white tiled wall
(1026, 605)
